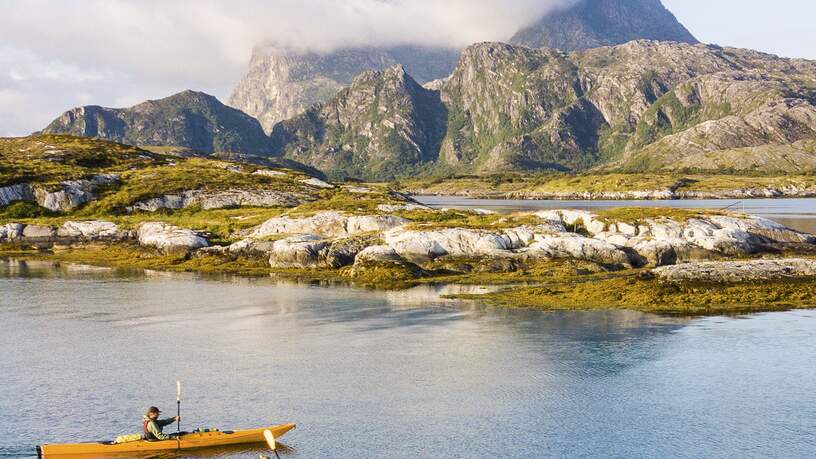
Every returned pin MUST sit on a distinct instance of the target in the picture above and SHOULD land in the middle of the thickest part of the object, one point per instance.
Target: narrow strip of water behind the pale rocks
(796, 213)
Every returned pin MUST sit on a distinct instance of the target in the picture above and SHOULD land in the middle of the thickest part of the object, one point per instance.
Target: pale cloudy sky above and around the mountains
(57, 54)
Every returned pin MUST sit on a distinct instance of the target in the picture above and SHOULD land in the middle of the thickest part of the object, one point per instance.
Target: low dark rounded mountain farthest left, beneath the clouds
(188, 119)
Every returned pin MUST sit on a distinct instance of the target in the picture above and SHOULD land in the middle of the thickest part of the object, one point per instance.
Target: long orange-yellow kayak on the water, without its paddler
(189, 440)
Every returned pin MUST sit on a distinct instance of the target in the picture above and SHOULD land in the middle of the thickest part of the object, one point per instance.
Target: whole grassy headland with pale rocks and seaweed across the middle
(71, 199)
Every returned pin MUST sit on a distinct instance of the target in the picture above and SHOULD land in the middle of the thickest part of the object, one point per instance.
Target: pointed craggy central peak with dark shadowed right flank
(384, 125)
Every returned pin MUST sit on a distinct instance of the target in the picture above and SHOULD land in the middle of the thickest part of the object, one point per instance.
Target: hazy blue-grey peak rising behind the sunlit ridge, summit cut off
(593, 23)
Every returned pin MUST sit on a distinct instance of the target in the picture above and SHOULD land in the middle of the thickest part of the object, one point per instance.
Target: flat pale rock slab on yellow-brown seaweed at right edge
(736, 271)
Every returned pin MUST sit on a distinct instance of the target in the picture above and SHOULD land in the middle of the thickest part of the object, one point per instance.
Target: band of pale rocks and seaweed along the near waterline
(383, 250)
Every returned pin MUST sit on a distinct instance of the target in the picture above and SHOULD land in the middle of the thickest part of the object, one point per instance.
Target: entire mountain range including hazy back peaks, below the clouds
(637, 106)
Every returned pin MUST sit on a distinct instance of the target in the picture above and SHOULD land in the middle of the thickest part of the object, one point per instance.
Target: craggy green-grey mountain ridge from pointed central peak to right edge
(643, 105)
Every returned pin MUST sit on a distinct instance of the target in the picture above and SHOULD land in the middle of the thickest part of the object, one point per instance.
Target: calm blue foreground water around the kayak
(393, 375)
